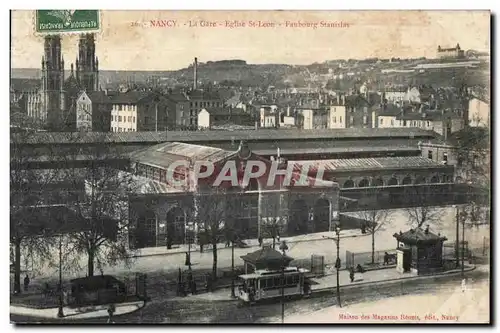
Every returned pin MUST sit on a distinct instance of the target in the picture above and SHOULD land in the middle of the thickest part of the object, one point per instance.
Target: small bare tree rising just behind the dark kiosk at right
(419, 211)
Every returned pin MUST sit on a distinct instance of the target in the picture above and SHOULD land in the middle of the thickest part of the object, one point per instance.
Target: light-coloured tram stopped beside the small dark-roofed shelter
(267, 284)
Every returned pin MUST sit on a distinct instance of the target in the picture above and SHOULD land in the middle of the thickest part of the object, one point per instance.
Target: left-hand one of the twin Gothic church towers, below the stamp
(52, 89)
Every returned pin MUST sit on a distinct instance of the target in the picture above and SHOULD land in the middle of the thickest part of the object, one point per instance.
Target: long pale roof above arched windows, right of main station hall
(374, 163)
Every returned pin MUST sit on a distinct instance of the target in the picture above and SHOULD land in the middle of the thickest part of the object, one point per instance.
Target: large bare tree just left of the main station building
(102, 210)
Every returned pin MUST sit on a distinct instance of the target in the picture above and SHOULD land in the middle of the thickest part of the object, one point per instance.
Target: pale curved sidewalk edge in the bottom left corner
(99, 311)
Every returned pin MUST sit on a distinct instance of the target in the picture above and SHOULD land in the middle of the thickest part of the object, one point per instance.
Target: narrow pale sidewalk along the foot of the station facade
(252, 243)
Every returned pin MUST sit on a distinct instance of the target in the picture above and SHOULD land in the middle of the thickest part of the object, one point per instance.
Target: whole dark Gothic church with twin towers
(55, 105)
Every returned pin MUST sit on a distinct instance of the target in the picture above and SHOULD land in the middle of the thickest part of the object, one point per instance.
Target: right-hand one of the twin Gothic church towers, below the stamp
(87, 64)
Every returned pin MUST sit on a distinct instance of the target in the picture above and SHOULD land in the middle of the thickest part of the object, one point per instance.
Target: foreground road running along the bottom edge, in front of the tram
(196, 310)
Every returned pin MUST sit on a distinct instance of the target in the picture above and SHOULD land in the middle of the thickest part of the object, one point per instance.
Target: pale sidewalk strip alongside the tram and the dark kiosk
(329, 282)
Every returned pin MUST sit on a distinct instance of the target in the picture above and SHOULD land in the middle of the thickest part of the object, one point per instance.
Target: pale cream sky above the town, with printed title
(119, 45)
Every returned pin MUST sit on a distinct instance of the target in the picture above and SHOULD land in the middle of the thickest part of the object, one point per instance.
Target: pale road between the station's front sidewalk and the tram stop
(384, 240)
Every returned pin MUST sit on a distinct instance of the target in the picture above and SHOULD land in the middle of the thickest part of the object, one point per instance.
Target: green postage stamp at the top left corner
(60, 21)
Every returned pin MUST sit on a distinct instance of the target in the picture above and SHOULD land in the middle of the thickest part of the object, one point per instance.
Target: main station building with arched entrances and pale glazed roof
(161, 212)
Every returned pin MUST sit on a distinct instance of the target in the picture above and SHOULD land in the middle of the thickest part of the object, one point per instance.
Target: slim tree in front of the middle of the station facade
(211, 216)
